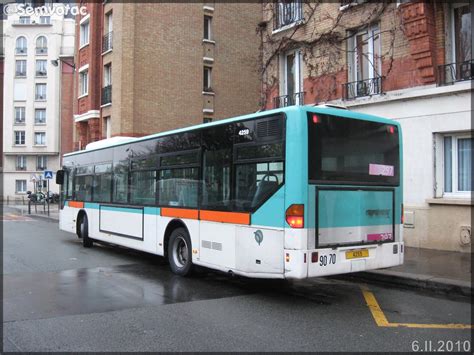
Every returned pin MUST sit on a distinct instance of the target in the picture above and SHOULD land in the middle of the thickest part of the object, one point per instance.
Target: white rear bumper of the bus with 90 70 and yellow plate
(301, 264)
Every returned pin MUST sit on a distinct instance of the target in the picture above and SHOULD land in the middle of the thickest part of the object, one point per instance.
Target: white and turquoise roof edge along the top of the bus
(307, 108)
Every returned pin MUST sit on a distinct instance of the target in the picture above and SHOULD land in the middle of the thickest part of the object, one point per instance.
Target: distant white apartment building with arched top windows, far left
(35, 96)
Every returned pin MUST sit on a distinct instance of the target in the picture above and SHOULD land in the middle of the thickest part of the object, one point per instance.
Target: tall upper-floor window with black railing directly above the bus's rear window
(364, 63)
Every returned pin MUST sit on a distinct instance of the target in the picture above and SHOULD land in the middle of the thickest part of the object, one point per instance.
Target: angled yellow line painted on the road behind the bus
(382, 321)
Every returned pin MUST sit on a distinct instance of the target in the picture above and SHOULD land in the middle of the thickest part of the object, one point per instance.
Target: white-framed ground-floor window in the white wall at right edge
(458, 164)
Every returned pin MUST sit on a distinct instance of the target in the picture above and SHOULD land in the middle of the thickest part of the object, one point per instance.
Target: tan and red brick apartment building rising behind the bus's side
(150, 67)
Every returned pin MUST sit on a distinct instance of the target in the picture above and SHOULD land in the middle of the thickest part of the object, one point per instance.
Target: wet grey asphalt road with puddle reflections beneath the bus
(59, 296)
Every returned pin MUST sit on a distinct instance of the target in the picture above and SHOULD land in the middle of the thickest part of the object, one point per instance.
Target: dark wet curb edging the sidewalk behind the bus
(419, 281)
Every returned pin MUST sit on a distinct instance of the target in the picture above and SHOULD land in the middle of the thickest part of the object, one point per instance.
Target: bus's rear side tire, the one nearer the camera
(180, 252)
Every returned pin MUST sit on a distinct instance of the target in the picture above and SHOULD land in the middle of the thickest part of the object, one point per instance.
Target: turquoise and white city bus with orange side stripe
(291, 193)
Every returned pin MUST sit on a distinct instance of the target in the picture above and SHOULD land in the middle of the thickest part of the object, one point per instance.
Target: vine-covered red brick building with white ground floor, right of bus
(410, 61)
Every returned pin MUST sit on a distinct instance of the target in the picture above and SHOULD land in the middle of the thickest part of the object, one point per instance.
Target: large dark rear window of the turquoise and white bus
(344, 150)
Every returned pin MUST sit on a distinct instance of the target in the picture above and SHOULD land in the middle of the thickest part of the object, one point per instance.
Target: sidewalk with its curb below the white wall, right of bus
(445, 271)
